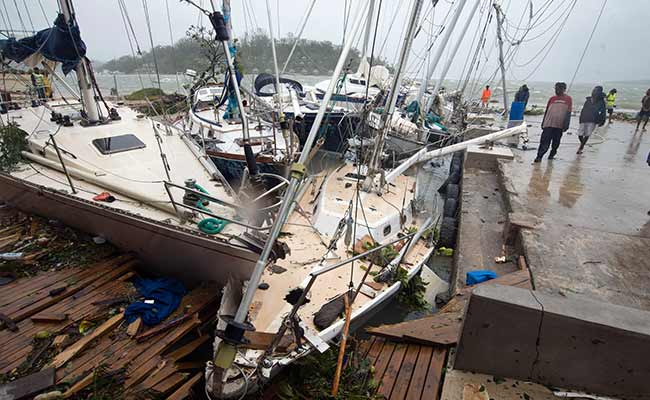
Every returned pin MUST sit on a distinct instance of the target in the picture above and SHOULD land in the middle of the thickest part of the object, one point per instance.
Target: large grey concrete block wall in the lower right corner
(576, 344)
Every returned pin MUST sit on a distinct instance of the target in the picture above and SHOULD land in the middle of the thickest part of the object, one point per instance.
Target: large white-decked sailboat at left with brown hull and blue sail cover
(143, 185)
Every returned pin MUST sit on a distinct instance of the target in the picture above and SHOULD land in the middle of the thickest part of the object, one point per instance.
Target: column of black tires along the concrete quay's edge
(451, 190)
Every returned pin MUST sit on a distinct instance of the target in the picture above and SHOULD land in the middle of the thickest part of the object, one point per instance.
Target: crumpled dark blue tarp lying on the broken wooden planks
(166, 294)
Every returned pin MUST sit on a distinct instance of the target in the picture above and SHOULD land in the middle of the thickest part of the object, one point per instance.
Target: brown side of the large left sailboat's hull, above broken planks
(165, 249)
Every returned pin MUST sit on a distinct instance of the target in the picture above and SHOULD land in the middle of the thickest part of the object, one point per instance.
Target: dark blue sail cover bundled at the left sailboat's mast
(61, 43)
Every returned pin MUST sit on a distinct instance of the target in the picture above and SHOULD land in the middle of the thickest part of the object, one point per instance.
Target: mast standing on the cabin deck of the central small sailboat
(394, 93)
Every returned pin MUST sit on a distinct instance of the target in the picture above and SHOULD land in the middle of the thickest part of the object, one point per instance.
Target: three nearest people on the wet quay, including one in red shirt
(597, 109)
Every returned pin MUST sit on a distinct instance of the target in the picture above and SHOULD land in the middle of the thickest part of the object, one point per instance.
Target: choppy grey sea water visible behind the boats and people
(628, 99)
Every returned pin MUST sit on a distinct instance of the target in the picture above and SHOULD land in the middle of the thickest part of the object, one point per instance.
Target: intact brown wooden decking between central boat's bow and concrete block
(406, 371)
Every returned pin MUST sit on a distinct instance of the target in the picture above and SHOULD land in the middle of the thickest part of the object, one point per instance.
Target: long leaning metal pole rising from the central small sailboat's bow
(297, 174)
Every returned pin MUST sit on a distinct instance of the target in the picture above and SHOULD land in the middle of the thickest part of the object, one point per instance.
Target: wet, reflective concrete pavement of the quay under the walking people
(594, 239)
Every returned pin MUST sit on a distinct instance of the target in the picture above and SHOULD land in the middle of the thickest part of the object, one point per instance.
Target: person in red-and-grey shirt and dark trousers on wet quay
(557, 118)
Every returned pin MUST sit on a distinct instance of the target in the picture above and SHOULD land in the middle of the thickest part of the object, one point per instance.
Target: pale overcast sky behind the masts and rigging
(618, 51)
